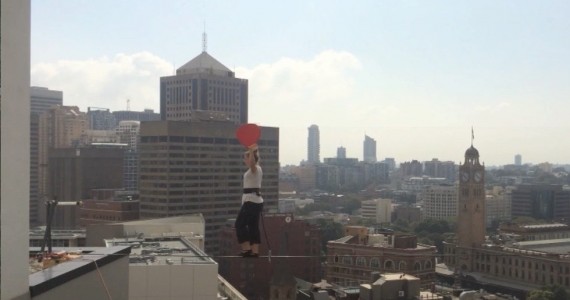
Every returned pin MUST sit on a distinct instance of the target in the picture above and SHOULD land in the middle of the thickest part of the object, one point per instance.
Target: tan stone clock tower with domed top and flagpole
(471, 208)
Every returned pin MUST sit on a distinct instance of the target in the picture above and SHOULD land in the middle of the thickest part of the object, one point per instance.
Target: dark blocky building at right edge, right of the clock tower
(545, 201)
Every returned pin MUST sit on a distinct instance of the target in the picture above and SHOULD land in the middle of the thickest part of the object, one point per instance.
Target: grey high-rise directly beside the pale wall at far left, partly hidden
(41, 99)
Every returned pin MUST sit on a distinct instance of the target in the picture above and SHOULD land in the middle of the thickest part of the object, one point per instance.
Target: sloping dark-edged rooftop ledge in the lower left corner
(88, 259)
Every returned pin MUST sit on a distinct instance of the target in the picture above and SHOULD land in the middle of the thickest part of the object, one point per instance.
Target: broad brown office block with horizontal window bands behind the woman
(197, 167)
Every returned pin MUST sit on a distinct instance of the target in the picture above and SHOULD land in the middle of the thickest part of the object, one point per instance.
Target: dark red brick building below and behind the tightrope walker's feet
(296, 239)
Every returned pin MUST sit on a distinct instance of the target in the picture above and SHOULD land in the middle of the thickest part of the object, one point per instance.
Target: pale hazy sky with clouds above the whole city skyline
(416, 76)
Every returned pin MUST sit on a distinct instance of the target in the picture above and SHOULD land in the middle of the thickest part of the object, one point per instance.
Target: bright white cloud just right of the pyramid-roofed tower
(299, 88)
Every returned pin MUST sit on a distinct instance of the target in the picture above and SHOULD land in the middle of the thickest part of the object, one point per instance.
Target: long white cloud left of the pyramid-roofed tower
(105, 82)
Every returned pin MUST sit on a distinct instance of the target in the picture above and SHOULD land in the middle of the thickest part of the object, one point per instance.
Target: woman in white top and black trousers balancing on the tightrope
(247, 222)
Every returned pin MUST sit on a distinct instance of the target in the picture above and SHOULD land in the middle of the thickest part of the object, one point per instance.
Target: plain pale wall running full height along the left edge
(15, 61)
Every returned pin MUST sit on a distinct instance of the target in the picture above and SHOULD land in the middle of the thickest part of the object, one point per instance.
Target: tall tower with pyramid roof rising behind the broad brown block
(203, 84)
